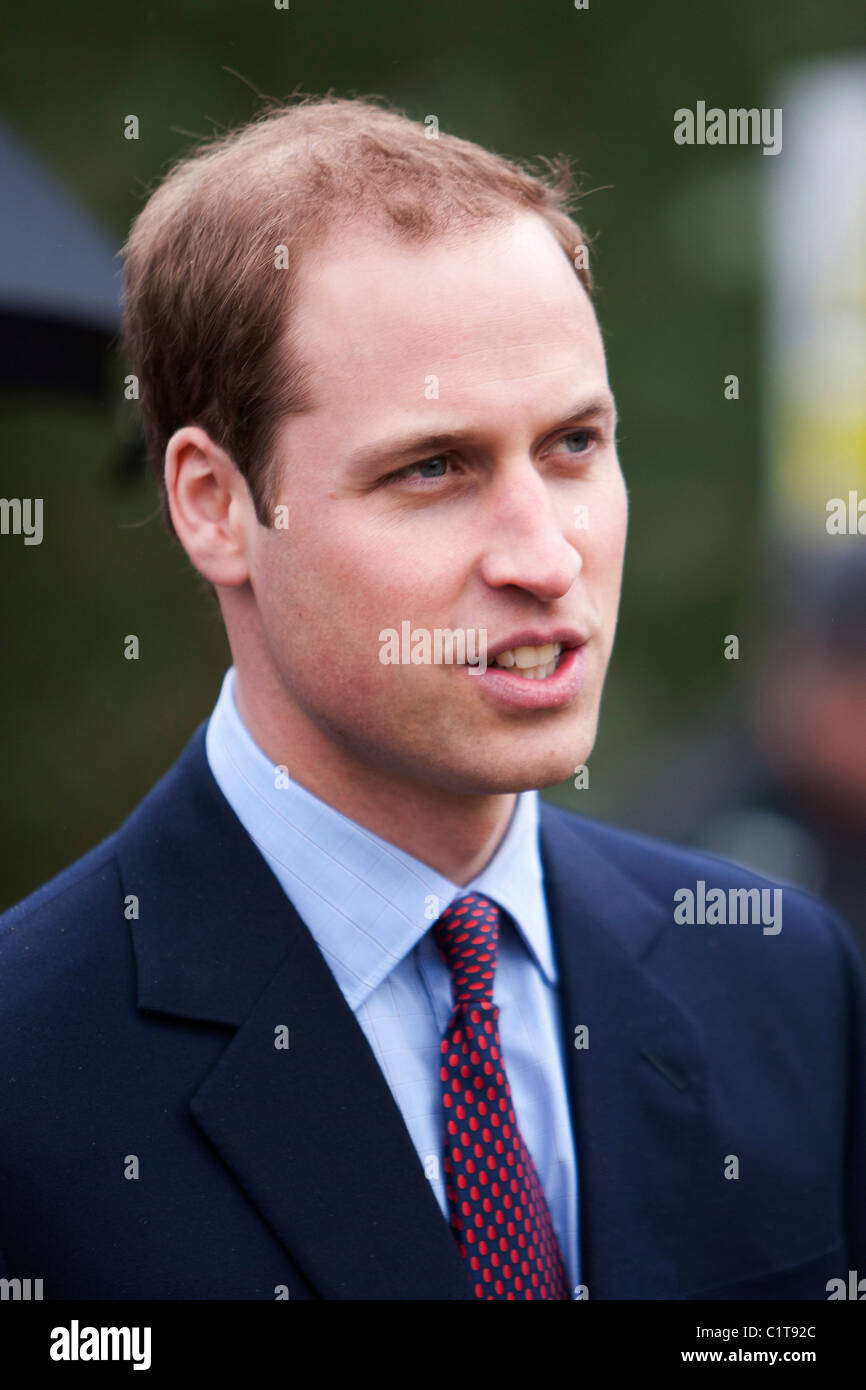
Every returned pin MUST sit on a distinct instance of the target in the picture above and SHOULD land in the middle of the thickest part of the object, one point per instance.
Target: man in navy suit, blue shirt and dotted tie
(344, 1011)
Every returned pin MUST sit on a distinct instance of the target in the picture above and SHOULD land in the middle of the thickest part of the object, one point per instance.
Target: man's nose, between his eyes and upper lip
(526, 537)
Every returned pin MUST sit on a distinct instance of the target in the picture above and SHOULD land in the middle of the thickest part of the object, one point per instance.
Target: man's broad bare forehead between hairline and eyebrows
(504, 305)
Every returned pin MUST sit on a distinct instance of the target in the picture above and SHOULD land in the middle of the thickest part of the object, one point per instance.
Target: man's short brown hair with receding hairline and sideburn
(206, 309)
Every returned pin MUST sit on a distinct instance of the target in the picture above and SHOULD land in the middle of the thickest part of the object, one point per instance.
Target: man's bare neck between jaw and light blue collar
(454, 833)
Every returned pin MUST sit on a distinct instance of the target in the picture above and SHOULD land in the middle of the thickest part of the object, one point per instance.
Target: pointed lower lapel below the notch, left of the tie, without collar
(318, 1142)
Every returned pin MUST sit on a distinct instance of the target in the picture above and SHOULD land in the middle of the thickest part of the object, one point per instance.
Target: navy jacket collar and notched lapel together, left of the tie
(311, 1132)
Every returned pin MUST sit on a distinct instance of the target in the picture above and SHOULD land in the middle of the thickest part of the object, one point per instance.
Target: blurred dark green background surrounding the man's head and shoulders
(711, 263)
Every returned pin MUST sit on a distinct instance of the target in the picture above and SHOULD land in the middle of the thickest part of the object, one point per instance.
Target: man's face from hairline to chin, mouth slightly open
(459, 472)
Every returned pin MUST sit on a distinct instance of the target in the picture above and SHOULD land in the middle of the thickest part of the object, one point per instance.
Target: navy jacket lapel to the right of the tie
(639, 1089)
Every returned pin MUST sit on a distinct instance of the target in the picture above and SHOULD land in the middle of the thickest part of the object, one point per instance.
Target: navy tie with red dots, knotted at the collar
(498, 1209)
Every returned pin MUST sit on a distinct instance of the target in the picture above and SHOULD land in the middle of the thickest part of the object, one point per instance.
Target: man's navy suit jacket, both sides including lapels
(265, 1170)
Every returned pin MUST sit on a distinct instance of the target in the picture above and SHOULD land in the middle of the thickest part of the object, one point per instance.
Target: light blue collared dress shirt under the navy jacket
(370, 907)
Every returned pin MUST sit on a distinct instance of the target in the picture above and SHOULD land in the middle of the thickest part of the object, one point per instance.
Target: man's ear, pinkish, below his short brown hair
(211, 507)
